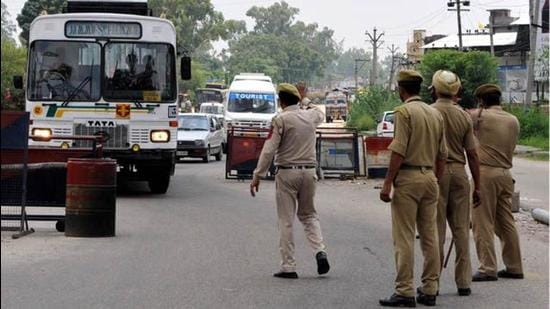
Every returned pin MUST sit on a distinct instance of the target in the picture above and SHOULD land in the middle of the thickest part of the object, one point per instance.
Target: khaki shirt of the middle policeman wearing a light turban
(459, 130)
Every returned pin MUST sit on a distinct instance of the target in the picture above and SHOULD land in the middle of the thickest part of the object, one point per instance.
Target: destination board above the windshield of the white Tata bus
(101, 29)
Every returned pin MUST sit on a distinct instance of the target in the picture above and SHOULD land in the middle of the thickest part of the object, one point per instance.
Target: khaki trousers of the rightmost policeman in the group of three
(494, 216)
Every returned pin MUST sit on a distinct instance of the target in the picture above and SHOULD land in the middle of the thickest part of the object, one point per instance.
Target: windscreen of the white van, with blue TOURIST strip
(240, 102)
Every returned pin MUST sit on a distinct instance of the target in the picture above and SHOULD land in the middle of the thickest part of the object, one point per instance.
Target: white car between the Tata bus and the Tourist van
(199, 136)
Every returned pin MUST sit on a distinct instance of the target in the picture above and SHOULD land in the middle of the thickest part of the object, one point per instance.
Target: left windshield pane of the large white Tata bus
(62, 70)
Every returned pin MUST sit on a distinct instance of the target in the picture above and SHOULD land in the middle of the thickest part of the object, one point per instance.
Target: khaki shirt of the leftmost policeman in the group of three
(419, 133)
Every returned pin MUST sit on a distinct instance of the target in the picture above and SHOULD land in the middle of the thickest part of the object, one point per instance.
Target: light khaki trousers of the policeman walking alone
(295, 194)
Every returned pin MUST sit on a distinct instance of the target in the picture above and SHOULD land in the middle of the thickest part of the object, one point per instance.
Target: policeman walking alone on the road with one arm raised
(292, 143)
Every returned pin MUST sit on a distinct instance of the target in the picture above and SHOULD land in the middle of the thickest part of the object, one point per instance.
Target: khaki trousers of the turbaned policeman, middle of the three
(454, 207)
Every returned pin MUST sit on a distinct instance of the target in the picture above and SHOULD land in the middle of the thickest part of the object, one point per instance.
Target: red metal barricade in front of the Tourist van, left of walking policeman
(244, 145)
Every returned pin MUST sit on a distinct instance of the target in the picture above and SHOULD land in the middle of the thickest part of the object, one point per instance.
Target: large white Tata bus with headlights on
(92, 72)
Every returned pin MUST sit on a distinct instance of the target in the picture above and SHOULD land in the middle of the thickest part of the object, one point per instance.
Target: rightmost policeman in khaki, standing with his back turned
(497, 132)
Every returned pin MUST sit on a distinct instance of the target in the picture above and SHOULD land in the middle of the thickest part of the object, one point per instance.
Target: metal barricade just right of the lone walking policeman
(338, 152)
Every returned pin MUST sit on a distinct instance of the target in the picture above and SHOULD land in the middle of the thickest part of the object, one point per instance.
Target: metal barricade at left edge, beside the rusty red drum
(35, 176)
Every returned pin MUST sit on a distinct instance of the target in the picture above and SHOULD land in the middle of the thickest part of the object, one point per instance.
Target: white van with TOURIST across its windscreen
(251, 101)
